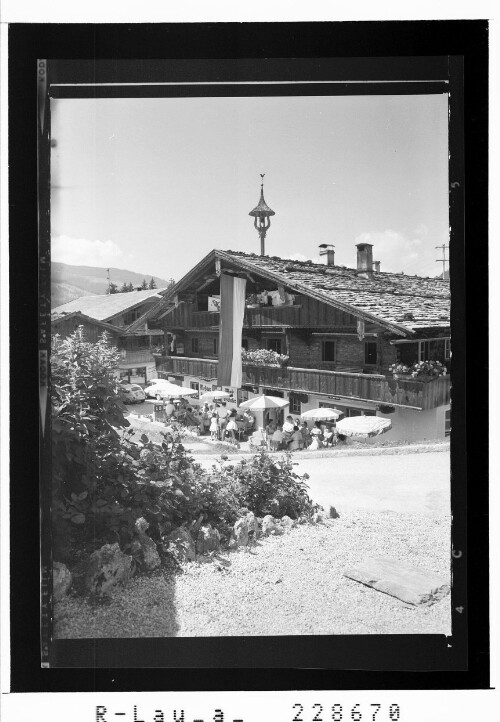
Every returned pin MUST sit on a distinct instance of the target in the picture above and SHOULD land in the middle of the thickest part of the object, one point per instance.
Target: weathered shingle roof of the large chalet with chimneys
(411, 302)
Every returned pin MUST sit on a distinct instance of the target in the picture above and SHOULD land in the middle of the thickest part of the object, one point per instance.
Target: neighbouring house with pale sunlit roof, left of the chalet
(117, 312)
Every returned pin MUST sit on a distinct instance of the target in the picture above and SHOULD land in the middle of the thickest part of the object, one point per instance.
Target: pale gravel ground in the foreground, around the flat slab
(291, 584)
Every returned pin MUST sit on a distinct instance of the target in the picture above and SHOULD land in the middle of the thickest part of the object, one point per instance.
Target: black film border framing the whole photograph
(362, 662)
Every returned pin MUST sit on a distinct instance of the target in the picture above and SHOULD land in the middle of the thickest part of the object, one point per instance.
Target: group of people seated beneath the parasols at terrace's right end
(296, 435)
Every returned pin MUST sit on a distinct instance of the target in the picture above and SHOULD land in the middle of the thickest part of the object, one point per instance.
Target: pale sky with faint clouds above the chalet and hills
(152, 185)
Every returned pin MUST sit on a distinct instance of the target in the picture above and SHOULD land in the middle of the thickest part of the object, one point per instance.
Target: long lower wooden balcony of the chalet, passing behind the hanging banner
(366, 387)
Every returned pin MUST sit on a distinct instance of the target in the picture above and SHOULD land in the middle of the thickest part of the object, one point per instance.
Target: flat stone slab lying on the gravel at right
(413, 585)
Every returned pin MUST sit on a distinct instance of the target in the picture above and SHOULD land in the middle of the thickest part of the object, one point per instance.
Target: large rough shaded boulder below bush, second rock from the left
(108, 567)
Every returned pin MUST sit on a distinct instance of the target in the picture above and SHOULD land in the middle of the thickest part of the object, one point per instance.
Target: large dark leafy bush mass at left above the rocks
(103, 481)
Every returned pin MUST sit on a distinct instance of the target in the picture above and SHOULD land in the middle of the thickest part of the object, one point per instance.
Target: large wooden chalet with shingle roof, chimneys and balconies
(341, 328)
